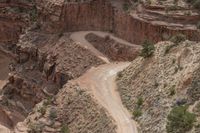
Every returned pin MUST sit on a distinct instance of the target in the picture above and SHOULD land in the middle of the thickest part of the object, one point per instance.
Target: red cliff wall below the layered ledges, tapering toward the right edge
(136, 30)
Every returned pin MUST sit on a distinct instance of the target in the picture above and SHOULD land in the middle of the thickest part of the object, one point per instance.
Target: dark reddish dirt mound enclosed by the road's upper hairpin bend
(113, 50)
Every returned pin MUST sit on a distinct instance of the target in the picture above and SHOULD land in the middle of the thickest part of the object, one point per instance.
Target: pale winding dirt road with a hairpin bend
(100, 82)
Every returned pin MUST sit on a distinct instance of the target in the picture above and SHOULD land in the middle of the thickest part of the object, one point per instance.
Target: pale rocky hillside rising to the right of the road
(167, 79)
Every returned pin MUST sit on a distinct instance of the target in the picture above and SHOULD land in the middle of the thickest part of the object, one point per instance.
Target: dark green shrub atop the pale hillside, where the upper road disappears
(148, 49)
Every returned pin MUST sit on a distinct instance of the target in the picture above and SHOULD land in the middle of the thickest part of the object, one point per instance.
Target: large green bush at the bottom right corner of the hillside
(180, 120)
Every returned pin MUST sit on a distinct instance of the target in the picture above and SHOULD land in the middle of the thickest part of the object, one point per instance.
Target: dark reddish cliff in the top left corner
(14, 18)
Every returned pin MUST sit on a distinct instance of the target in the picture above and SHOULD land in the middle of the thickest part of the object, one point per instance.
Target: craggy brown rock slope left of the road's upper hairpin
(45, 62)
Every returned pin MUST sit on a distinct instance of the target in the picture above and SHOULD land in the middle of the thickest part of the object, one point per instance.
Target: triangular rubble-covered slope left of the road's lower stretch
(75, 111)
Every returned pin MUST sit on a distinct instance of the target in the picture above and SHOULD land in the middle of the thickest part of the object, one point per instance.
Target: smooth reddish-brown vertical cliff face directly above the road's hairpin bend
(96, 15)
